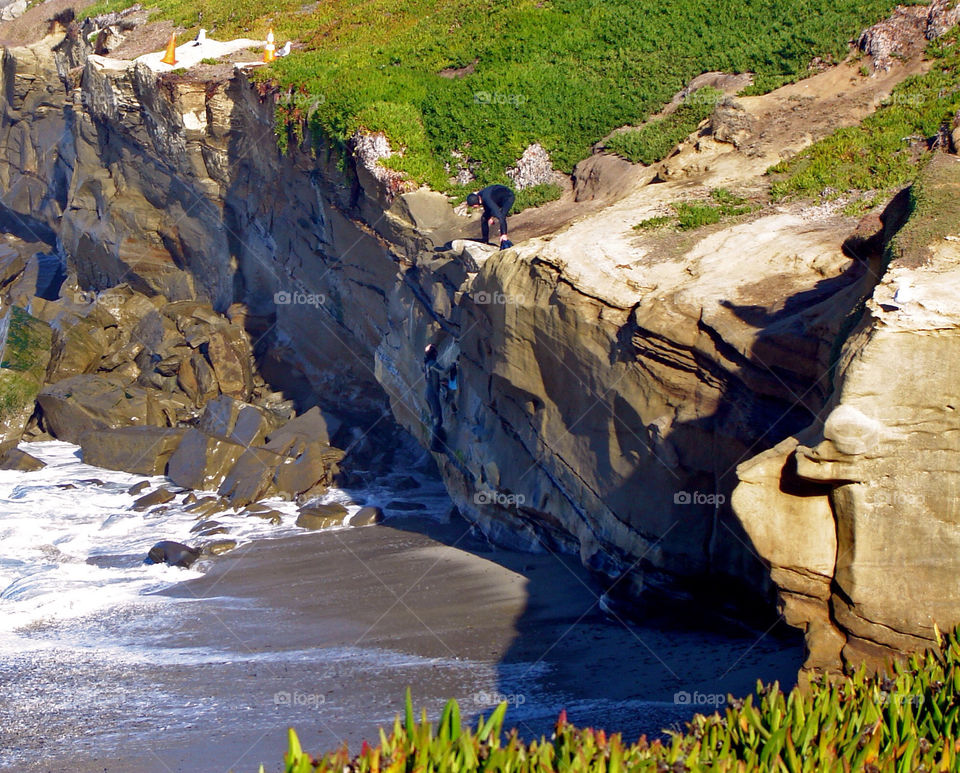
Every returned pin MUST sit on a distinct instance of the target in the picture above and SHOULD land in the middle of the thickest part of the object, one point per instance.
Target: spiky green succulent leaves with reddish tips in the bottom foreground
(906, 719)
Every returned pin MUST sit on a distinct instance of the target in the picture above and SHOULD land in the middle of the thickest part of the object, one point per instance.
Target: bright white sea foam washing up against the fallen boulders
(72, 546)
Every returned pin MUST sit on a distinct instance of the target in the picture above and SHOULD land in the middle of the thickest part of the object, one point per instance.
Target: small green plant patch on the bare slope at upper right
(888, 150)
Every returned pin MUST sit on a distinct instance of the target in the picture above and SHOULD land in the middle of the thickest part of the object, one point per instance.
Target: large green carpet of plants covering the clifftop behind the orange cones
(562, 72)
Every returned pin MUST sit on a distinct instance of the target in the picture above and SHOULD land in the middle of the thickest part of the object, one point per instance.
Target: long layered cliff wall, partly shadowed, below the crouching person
(607, 386)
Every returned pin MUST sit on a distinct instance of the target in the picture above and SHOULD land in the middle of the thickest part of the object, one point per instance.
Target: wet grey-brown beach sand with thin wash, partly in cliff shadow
(325, 631)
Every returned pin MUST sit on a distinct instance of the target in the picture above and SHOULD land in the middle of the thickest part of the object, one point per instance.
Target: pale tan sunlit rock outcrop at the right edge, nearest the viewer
(859, 516)
